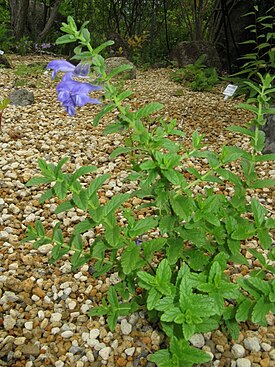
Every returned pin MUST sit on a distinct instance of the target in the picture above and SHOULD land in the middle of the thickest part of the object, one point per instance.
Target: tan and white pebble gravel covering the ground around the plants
(43, 308)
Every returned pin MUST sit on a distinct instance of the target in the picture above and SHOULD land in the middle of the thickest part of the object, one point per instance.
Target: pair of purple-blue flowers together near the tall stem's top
(73, 93)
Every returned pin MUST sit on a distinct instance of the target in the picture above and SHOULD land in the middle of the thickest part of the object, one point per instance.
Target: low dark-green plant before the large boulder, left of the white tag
(196, 76)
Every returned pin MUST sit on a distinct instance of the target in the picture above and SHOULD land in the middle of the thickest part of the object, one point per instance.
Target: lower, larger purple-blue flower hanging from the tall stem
(72, 93)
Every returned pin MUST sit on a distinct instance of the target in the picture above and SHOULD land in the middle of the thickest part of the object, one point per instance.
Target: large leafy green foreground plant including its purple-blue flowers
(185, 290)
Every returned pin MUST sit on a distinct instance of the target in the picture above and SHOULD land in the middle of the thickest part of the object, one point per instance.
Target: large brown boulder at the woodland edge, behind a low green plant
(186, 53)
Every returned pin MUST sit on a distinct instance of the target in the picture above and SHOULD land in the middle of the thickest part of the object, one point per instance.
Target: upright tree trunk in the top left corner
(18, 15)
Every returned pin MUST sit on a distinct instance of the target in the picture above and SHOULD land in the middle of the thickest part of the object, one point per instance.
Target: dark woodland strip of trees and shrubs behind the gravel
(145, 31)
